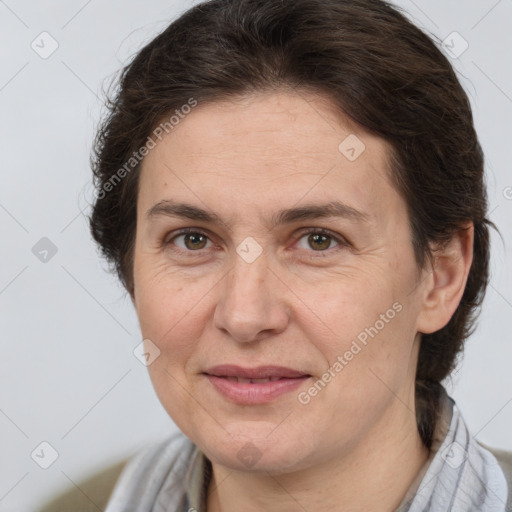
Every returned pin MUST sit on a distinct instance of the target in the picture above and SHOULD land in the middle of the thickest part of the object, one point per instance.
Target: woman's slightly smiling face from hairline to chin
(267, 276)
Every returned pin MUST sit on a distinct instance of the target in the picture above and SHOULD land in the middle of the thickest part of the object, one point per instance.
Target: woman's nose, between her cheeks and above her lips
(252, 303)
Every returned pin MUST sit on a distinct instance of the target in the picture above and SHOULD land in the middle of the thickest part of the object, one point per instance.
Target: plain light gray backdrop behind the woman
(68, 373)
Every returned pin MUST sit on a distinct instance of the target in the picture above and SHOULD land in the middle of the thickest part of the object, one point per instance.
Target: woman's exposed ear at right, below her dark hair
(445, 285)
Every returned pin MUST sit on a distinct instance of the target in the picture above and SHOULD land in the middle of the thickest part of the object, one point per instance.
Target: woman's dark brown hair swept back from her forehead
(376, 67)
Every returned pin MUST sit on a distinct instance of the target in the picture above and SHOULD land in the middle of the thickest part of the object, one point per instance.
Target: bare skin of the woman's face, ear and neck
(355, 445)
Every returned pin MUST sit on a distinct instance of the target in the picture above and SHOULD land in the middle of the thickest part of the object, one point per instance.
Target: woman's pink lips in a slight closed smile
(248, 393)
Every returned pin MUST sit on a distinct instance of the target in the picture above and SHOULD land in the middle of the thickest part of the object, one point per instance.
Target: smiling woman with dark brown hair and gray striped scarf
(292, 193)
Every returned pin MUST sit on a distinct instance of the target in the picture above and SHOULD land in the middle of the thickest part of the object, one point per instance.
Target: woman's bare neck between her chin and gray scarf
(374, 475)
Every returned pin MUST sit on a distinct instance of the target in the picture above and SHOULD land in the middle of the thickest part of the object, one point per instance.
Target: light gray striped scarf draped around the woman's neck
(460, 475)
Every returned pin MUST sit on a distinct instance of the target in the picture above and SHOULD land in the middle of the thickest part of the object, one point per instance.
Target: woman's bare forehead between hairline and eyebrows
(267, 148)
